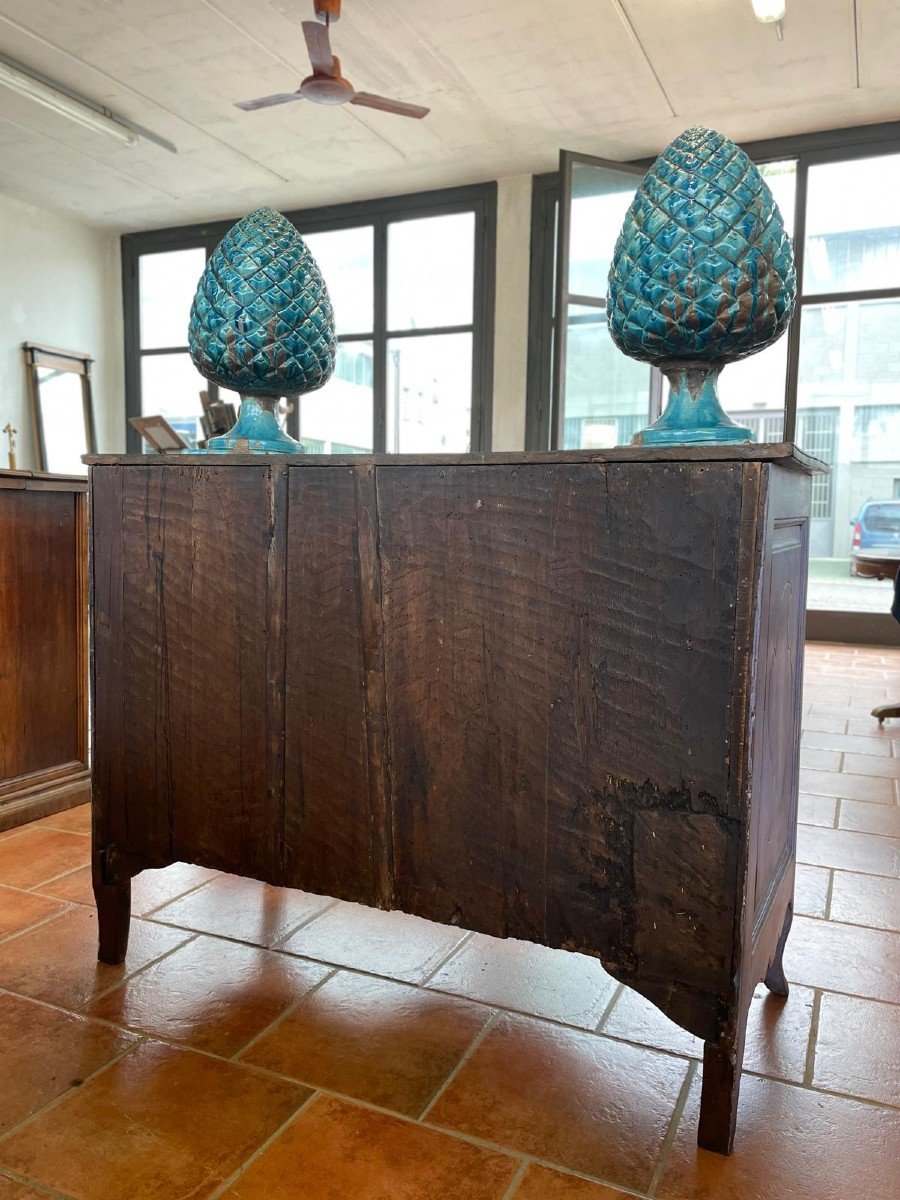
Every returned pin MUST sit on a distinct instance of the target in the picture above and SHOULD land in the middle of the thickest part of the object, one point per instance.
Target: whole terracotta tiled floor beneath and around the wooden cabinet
(262, 1045)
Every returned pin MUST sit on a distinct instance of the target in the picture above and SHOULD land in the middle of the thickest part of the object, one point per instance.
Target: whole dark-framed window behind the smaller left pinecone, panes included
(412, 285)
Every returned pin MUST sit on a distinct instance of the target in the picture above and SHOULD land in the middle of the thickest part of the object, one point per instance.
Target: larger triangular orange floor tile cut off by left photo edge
(44, 1053)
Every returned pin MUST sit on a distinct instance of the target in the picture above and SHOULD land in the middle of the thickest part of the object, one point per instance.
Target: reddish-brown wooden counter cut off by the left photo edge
(44, 645)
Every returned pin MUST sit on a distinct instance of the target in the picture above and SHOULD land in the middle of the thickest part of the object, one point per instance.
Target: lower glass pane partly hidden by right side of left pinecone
(338, 418)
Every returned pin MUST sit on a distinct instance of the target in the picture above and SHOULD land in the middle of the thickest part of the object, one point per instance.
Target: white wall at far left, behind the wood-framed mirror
(61, 286)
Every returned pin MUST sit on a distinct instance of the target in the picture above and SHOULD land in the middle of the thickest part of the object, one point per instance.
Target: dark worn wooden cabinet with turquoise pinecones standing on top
(554, 698)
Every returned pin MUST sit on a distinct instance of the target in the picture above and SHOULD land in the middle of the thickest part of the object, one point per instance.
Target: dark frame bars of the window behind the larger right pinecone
(808, 151)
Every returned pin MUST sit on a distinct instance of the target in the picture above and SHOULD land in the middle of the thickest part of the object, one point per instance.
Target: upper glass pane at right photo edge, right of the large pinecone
(853, 226)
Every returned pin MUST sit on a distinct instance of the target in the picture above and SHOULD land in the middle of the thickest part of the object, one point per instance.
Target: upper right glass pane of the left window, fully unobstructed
(431, 272)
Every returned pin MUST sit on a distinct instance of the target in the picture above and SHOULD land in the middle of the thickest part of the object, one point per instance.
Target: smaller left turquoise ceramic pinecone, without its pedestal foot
(262, 322)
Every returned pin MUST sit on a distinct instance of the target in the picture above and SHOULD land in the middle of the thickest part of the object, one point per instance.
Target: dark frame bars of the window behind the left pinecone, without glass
(478, 199)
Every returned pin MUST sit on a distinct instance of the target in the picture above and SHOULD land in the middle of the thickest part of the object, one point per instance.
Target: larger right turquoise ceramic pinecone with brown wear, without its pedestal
(703, 268)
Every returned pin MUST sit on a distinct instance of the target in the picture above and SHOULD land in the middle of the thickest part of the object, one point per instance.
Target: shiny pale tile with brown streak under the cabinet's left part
(244, 909)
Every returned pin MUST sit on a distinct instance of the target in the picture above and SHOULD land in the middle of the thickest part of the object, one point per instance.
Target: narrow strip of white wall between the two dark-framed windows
(511, 353)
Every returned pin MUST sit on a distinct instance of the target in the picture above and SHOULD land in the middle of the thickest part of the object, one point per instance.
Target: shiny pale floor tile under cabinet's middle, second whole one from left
(388, 944)
